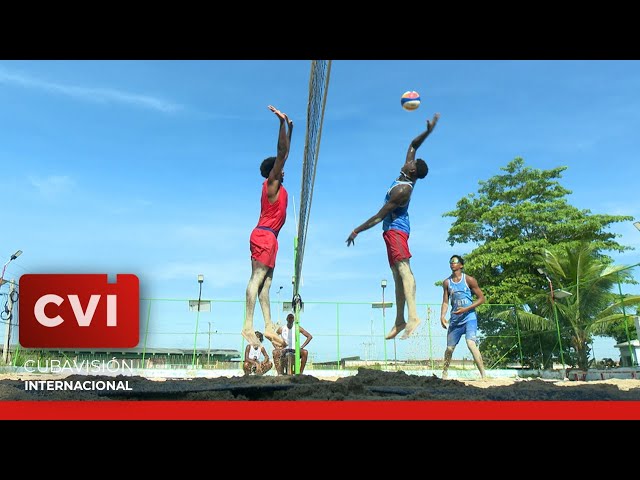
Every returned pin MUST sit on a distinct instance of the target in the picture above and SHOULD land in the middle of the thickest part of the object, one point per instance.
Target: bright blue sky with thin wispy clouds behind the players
(151, 167)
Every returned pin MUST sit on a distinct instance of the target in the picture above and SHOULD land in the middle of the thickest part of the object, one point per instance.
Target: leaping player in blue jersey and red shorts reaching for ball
(394, 216)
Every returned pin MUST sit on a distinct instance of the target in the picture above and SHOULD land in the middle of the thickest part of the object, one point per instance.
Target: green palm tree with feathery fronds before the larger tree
(592, 306)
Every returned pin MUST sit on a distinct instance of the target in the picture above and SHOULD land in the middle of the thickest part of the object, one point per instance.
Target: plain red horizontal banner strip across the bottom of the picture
(320, 410)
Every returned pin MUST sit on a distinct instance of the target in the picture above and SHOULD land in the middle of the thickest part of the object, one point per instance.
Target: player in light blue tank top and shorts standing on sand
(458, 290)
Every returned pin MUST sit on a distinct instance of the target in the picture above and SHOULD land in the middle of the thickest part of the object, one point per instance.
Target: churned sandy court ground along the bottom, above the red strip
(366, 385)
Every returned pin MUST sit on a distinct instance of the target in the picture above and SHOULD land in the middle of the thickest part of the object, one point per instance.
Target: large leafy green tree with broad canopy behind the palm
(512, 219)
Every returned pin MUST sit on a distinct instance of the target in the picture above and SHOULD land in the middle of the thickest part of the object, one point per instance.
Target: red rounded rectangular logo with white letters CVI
(79, 311)
